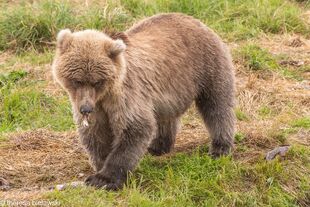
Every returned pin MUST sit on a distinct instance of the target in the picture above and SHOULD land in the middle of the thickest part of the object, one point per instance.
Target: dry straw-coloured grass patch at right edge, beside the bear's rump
(287, 100)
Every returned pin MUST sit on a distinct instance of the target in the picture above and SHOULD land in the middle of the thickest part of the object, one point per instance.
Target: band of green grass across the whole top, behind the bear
(34, 25)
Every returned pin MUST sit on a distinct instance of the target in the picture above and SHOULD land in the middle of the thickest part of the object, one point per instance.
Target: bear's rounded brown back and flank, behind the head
(172, 54)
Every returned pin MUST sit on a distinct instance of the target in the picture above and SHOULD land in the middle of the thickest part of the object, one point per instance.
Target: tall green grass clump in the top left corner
(25, 26)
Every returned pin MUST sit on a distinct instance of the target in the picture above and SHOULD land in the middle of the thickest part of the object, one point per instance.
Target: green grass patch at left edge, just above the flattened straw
(26, 109)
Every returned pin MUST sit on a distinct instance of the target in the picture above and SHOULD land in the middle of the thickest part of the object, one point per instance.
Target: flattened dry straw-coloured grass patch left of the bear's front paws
(31, 160)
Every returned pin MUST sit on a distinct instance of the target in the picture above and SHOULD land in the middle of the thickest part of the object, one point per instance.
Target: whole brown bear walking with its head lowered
(128, 91)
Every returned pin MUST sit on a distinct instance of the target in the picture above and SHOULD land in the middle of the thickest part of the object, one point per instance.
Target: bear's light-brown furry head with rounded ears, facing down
(88, 65)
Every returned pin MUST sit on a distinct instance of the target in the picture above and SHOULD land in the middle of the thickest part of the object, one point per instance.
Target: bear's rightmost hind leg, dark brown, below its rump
(216, 108)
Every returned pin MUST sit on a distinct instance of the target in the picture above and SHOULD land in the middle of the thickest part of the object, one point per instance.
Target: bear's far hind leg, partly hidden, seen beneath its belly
(165, 137)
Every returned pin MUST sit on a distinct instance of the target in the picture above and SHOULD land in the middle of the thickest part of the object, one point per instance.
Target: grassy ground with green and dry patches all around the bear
(269, 40)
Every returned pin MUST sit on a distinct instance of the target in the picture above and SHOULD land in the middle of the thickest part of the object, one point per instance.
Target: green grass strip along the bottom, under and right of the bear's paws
(197, 180)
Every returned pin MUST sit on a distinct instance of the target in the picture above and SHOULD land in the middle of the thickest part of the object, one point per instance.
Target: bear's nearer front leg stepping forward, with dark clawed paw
(125, 155)
